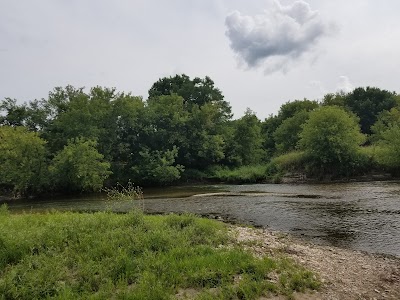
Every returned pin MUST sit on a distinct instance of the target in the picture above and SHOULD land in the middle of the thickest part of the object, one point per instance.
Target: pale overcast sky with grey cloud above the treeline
(259, 53)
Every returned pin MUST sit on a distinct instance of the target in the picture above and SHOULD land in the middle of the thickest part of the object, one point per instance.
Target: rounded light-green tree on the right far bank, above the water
(330, 139)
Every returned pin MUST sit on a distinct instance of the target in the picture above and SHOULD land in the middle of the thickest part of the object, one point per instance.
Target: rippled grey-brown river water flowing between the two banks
(363, 216)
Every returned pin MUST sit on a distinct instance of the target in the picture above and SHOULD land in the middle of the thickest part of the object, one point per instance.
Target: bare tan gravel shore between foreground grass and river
(345, 274)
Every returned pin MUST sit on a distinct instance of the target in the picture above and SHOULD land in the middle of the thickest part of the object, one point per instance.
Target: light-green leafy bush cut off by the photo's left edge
(22, 160)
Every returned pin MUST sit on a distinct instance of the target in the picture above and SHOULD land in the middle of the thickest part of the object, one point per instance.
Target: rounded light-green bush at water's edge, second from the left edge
(79, 167)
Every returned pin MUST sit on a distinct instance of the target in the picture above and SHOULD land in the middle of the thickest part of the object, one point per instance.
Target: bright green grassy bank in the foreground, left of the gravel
(132, 256)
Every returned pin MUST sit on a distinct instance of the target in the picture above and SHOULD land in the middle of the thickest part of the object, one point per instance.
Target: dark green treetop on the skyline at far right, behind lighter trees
(367, 103)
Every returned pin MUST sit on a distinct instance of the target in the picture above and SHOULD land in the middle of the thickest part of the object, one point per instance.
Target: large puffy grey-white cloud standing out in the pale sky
(277, 37)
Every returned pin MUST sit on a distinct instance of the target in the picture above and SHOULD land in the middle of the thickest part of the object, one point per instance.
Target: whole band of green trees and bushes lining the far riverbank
(80, 141)
